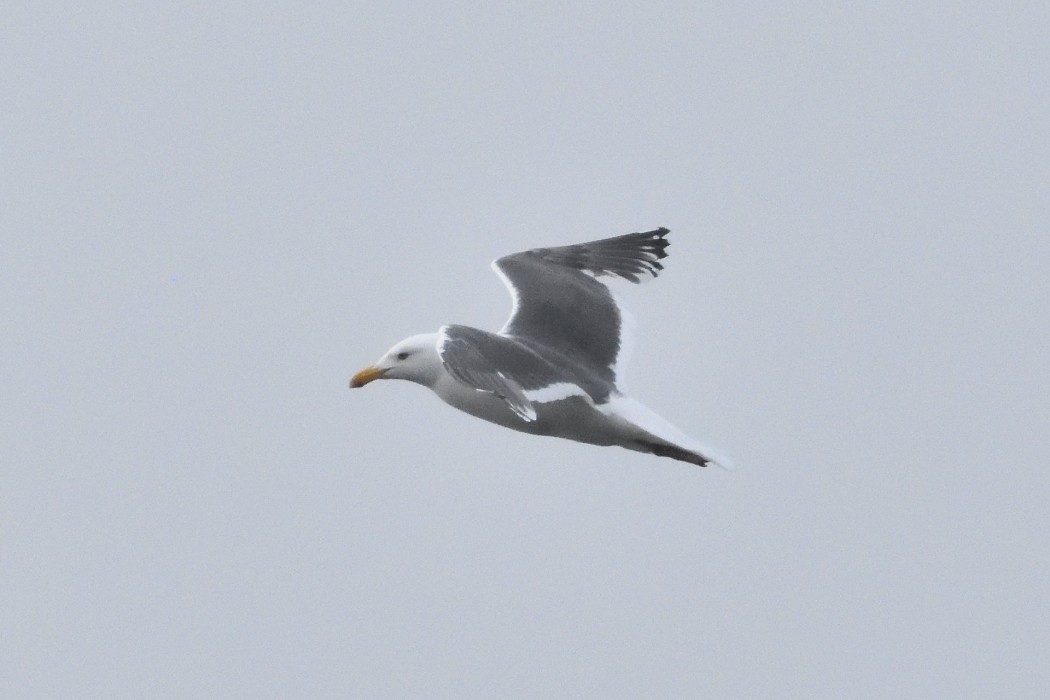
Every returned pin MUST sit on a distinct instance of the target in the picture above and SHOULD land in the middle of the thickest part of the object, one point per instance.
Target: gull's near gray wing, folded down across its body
(496, 365)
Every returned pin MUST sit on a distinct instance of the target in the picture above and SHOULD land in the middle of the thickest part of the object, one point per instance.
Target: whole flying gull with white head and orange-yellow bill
(557, 366)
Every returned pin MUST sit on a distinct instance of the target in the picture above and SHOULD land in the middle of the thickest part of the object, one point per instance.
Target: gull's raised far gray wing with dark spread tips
(561, 305)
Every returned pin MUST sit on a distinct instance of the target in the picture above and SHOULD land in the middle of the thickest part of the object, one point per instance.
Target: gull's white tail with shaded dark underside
(647, 432)
